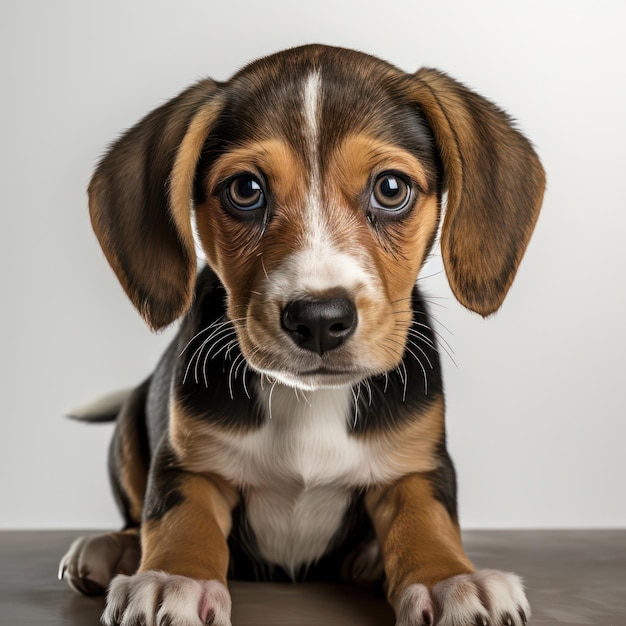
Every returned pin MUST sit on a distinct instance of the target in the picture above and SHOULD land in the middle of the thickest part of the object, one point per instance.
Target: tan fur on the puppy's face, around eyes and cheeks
(243, 269)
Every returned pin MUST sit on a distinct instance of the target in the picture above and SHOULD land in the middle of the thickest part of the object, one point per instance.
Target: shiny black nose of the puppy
(320, 325)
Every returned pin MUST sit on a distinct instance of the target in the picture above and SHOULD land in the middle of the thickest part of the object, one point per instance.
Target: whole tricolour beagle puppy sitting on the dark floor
(294, 429)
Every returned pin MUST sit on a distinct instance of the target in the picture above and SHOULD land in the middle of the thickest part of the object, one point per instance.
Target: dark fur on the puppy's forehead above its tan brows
(357, 93)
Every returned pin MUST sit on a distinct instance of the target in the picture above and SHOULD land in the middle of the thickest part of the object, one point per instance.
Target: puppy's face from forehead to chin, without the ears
(318, 219)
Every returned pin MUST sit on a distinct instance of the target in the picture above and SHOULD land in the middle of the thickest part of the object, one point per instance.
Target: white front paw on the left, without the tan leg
(158, 599)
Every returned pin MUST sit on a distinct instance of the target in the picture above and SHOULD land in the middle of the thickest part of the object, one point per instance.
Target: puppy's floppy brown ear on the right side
(495, 186)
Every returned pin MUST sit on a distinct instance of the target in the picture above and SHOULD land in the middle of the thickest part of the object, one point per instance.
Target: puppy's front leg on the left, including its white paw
(182, 576)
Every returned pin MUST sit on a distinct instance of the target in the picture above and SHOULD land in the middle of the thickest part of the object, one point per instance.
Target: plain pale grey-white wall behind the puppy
(536, 413)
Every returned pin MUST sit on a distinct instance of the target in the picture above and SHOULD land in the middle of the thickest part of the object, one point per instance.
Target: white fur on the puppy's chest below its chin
(298, 472)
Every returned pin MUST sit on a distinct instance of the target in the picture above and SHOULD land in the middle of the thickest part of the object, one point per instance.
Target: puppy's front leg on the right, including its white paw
(430, 579)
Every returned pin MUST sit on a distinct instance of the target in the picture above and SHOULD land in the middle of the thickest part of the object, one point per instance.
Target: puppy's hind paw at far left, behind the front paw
(91, 562)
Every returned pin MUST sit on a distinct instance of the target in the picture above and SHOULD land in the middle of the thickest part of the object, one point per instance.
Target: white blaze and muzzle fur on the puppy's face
(319, 267)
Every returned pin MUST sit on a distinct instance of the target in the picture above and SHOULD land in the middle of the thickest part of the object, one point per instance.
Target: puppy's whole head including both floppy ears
(315, 177)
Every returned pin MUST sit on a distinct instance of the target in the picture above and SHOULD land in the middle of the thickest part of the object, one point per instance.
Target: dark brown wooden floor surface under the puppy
(572, 577)
